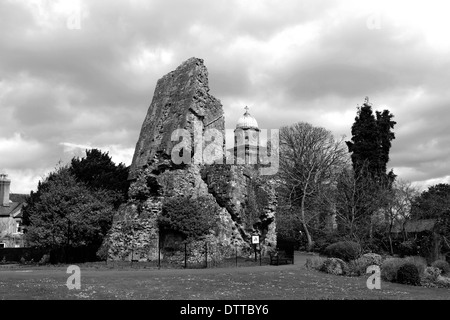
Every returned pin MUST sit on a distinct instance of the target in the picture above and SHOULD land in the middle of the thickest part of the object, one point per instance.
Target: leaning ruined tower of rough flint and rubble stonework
(246, 202)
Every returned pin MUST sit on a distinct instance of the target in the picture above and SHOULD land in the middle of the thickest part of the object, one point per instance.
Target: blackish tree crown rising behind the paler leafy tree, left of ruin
(99, 172)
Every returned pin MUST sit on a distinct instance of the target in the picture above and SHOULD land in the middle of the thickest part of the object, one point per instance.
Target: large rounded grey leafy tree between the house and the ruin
(64, 212)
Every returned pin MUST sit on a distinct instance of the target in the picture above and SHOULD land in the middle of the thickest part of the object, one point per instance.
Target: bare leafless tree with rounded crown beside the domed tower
(310, 158)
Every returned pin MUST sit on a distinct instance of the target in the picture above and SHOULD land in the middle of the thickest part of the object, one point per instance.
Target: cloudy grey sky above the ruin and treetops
(81, 74)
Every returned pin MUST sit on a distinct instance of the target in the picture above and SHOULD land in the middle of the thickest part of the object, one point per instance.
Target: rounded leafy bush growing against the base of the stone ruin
(193, 218)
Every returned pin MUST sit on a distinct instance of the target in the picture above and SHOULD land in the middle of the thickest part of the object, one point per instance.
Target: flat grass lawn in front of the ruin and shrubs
(265, 282)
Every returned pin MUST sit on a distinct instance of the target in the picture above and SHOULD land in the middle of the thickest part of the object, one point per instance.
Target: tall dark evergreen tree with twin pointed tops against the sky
(371, 142)
